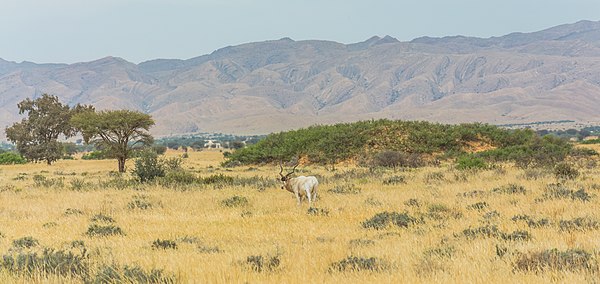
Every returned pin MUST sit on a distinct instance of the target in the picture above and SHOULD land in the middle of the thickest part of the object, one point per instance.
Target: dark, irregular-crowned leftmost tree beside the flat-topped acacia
(36, 136)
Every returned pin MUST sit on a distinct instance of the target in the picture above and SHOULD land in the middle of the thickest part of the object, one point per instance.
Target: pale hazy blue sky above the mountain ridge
(68, 31)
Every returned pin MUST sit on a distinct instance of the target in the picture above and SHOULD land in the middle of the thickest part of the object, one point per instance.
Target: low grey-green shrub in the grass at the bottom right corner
(553, 259)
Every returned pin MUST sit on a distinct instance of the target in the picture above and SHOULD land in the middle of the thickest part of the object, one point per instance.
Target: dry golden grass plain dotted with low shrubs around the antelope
(504, 225)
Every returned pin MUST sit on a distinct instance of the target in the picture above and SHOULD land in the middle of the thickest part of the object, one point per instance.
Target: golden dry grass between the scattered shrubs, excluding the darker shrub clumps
(272, 225)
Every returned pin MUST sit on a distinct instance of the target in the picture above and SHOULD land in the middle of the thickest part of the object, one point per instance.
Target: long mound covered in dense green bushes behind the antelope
(390, 143)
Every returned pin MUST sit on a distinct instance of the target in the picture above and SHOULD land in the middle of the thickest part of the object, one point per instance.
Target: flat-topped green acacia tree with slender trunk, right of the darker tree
(116, 132)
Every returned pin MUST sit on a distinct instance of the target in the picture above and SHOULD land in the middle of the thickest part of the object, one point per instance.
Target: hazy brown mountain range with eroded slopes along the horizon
(261, 87)
